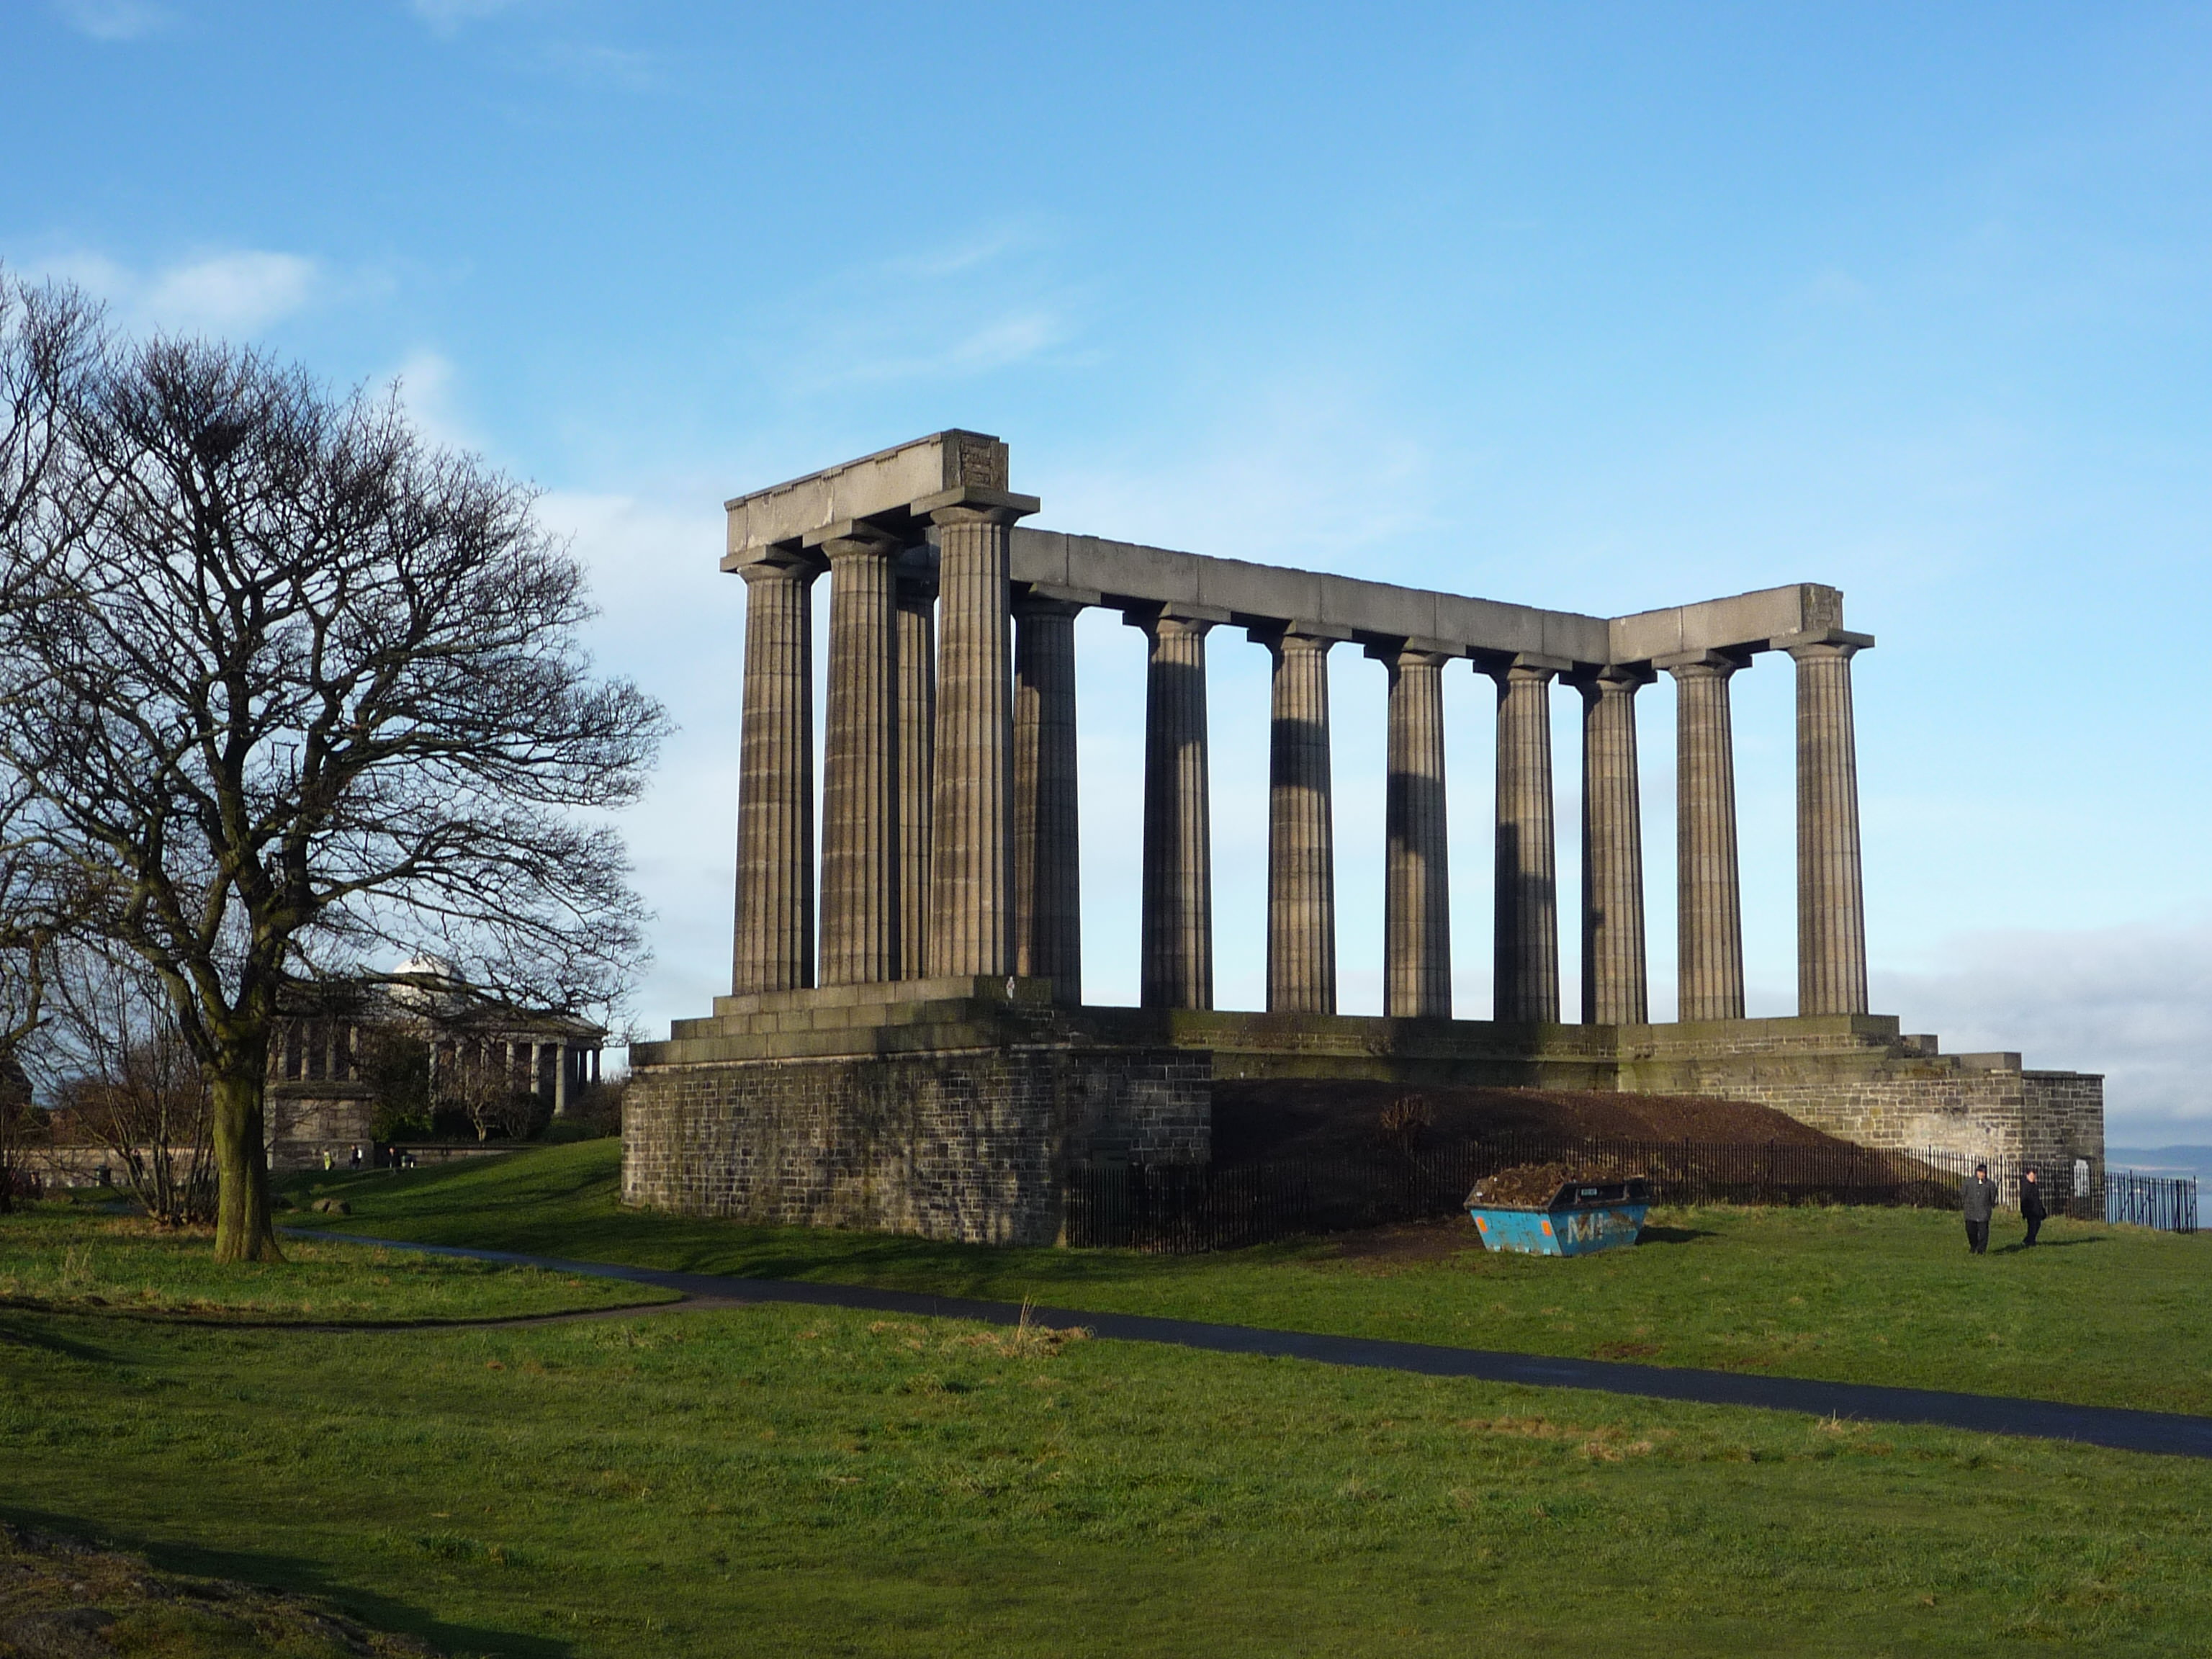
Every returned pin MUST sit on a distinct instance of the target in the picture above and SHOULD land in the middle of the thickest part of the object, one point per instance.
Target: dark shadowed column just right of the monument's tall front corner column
(1047, 870)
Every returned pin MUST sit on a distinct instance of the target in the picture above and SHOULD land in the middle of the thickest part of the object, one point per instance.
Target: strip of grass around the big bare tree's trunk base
(79, 1258)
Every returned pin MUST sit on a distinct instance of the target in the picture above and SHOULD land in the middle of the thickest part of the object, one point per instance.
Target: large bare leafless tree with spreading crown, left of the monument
(300, 691)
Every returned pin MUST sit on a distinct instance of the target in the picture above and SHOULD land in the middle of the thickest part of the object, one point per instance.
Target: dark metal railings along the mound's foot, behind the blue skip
(1180, 1209)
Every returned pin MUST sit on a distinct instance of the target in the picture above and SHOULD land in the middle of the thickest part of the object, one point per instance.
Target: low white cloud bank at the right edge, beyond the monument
(2133, 1003)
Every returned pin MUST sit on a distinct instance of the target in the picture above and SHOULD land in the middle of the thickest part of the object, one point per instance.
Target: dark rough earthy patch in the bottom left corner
(63, 1598)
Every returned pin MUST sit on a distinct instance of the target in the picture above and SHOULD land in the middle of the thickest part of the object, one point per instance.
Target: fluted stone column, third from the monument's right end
(1614, 974)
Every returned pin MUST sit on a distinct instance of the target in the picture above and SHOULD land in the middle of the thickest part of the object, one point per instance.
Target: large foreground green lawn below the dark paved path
(784, 1481)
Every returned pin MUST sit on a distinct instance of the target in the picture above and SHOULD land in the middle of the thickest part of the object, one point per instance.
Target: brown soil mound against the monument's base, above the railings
(1264, 1120)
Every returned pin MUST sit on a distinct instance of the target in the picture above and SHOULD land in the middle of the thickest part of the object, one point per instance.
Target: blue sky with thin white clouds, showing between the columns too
(1580, 306)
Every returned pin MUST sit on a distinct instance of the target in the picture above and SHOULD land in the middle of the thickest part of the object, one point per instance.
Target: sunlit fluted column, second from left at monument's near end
(859, 941)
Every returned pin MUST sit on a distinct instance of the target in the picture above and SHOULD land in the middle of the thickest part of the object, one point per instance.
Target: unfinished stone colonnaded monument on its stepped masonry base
(910, 1047)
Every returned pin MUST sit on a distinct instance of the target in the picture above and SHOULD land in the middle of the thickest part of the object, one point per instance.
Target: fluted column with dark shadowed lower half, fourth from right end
(1527, 921)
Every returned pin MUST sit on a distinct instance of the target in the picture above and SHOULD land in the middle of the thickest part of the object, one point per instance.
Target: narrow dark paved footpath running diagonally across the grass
(2100, 1426)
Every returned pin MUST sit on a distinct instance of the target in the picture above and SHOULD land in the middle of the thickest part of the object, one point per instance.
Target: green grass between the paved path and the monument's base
(2096, 1317)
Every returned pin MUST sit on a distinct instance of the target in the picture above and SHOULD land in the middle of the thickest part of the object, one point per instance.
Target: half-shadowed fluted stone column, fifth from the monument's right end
(1417, 879)
